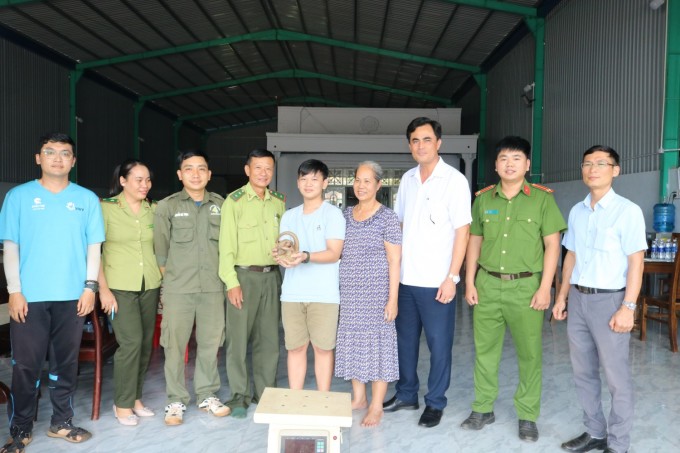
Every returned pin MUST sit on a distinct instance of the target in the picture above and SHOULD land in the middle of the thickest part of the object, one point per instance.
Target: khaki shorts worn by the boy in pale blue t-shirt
(314, 321)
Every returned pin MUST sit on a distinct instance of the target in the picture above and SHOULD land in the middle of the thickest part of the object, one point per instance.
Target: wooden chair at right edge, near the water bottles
(667, 305)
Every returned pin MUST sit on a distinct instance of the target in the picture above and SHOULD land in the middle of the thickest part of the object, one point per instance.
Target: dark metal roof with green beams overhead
(217, 63)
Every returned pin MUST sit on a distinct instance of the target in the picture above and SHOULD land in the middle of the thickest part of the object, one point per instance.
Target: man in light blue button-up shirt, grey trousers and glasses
(604, 264)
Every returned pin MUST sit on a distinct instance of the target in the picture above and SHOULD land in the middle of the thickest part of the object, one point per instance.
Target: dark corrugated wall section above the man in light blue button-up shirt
(604, 84)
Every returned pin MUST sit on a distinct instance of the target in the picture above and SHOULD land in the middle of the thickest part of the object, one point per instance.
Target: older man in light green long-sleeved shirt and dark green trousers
(250, 228)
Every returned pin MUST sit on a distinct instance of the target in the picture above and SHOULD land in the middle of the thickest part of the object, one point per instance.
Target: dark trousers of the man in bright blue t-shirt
(54, 327)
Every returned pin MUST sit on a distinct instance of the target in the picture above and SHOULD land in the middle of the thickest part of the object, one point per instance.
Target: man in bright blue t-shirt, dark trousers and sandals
(52, 232)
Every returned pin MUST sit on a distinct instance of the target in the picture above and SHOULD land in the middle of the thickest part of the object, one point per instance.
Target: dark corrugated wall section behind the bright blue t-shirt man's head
(34, 100)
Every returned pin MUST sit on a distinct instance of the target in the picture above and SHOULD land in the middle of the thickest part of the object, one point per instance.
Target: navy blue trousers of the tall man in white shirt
(419, 310)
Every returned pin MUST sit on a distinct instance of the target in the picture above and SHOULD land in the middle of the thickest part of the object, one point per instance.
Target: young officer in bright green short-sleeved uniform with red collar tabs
(514, 245)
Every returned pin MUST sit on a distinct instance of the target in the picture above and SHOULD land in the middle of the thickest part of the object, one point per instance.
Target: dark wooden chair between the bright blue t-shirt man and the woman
(95, 347)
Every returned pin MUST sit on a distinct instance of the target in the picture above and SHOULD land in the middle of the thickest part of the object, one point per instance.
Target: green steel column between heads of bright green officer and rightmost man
(537, 27)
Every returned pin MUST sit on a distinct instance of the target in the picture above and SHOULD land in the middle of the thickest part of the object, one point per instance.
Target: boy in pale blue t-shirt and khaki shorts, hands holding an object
(310, 293)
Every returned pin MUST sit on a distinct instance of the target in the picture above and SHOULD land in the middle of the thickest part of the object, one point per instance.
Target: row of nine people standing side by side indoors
(360, 285)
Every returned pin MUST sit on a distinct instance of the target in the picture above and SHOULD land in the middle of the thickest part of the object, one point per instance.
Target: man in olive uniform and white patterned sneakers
(186, 235)
